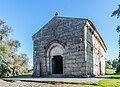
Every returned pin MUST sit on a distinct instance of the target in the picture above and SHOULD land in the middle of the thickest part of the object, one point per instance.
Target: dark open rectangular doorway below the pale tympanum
(57, 65)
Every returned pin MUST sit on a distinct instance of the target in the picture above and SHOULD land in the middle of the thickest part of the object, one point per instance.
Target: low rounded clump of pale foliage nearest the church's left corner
(18, 64)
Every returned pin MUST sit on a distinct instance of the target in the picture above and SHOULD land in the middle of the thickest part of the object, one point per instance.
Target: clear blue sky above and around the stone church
(26, 17)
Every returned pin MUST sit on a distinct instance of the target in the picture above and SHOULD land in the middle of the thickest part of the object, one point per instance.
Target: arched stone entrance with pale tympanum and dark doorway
(55, 57)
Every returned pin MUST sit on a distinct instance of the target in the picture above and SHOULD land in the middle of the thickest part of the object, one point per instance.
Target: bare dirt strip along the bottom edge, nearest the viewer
(35, 84)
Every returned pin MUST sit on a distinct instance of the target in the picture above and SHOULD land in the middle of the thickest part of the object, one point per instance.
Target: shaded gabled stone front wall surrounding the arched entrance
(69, 34)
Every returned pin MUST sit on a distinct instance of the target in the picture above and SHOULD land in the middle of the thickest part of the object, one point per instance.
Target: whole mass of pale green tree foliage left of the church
(11, 62)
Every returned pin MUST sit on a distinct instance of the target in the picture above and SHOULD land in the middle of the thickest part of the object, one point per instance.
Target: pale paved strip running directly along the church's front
(45, 79)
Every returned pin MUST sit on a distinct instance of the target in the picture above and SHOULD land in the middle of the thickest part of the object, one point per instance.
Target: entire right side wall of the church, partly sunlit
(95, 54)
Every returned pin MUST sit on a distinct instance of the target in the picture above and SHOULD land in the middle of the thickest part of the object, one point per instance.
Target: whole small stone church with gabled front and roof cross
(70, 47)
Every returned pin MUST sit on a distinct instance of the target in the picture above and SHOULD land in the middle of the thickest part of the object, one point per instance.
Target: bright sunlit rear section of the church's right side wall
(98, 56)
